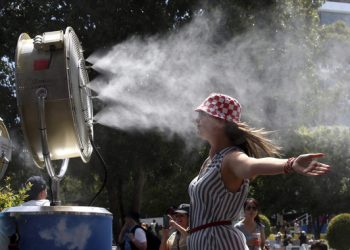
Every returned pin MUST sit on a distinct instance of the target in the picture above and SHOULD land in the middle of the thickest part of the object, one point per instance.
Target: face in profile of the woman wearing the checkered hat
(208, 126)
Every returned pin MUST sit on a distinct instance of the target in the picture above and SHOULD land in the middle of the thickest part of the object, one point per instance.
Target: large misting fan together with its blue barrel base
(57, 120)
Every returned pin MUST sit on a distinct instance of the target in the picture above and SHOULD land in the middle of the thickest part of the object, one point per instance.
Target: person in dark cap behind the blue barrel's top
(37, 193)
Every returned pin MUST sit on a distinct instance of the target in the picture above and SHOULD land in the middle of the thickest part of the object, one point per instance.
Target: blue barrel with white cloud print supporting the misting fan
(62, 227)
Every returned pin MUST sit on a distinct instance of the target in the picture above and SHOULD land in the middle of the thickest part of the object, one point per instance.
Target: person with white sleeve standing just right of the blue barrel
(132, 236)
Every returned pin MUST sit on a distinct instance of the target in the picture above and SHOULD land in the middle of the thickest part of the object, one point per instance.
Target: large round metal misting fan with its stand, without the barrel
(54, 100)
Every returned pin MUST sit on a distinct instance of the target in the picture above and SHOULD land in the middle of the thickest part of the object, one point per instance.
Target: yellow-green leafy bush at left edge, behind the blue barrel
(11, 198)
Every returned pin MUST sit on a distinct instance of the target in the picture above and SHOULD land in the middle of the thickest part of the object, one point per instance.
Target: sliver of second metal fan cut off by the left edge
(5, 148)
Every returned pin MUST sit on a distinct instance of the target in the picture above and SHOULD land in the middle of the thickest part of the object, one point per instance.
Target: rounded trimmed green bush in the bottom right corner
(338, 232)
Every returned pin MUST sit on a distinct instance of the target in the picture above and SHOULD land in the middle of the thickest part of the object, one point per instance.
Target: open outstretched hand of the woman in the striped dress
(307, 165)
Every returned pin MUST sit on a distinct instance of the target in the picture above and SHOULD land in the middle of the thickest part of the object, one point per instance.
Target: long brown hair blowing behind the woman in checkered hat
(253, 142)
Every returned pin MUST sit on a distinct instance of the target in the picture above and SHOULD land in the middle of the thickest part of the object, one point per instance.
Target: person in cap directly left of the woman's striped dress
(179, 223)
